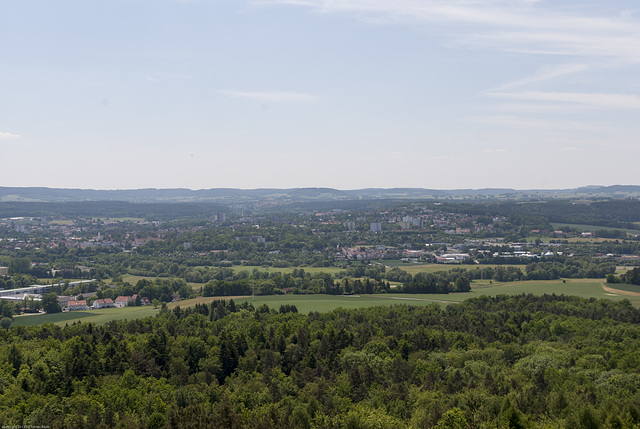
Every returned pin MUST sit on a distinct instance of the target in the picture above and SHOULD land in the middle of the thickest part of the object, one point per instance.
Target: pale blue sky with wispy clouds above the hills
(348, 94)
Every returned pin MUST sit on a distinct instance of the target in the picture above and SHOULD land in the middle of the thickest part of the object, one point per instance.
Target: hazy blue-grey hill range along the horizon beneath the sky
(230, 196)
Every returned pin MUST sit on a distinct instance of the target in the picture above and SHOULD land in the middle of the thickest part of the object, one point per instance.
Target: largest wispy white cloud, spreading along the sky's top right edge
(507, 25)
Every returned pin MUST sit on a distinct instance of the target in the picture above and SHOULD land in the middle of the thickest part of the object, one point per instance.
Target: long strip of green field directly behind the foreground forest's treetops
(585, 288)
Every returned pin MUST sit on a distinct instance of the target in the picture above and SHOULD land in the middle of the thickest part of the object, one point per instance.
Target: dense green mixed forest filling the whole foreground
(524, 361)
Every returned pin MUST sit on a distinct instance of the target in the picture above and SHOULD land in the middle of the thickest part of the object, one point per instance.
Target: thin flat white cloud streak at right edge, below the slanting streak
(608, 101)
